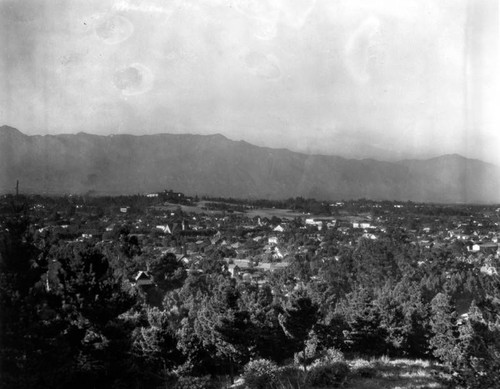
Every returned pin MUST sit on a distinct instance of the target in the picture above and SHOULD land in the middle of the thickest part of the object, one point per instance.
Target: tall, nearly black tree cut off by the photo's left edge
(22, 341)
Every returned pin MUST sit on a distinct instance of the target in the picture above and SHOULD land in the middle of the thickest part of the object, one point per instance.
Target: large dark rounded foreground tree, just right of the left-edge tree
(88, 300)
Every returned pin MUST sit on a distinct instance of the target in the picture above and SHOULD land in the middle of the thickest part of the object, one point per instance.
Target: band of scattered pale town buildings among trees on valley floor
(253, 247)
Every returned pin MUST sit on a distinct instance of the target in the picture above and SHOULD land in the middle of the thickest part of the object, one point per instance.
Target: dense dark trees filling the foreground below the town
(72, 318)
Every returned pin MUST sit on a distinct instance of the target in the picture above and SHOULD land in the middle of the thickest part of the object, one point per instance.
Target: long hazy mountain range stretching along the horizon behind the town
(217, 166)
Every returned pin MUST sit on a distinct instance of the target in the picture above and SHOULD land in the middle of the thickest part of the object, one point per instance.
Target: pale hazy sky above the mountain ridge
(386, 78)
